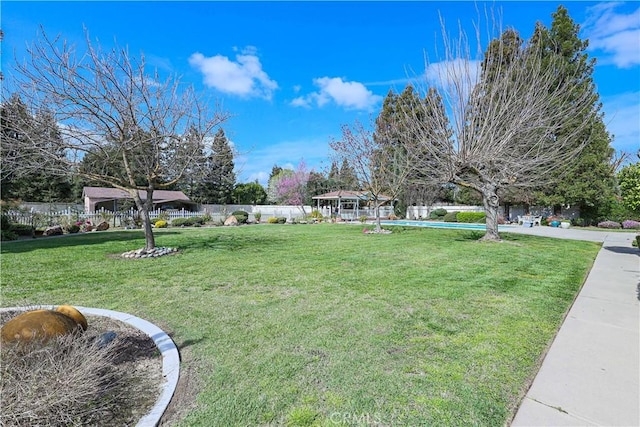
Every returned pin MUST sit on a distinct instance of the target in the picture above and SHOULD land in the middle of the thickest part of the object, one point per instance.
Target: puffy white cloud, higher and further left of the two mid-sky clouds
(243, 77)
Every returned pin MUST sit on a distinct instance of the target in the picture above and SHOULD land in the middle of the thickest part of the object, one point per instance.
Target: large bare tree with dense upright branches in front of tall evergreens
(512, 120)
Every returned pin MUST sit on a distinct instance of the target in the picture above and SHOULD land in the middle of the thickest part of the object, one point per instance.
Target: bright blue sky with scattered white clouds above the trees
(291, 73)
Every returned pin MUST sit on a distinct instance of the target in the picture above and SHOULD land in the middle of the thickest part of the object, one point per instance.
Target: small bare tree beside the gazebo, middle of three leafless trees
(381, 169)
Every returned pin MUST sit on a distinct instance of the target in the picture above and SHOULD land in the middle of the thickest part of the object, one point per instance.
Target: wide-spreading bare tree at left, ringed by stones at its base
(139, 132)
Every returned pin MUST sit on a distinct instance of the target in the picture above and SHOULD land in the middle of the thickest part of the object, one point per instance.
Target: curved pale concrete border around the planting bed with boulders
(166, 346)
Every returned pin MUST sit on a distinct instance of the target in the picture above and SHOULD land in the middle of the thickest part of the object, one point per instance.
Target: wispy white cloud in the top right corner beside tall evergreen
(618, 35)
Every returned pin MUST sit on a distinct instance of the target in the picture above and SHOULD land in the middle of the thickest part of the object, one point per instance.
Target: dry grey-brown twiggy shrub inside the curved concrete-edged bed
(72, 381)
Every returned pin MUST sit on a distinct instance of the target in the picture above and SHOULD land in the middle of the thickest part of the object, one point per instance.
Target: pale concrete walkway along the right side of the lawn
(591, 374)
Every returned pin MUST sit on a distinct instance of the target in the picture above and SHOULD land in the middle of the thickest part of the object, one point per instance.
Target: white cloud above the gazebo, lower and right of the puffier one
(350, 95)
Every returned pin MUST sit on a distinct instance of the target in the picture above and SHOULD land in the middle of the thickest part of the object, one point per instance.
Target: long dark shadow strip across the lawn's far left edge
(71, 240)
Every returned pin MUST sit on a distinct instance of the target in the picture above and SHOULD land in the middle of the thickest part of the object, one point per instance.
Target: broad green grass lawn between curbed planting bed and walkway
(323, 324)
